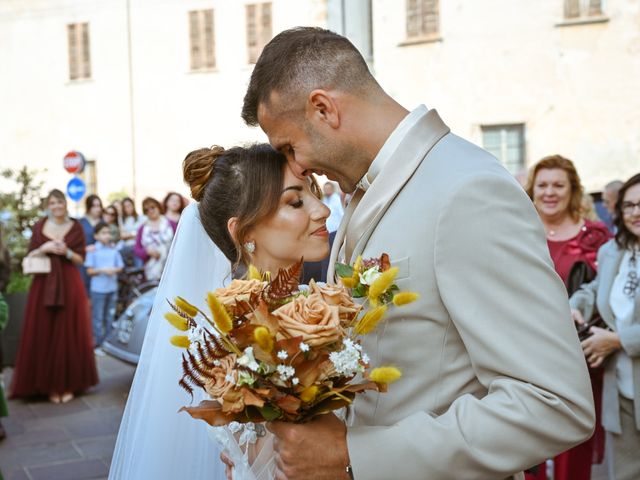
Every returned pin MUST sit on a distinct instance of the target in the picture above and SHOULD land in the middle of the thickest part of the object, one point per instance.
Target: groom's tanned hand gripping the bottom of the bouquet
(315, 450)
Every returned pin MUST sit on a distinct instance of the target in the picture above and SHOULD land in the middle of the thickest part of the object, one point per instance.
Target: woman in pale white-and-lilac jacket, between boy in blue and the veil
(153, 239)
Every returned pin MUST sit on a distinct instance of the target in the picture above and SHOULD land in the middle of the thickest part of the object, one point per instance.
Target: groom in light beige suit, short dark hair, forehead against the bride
(494, 380)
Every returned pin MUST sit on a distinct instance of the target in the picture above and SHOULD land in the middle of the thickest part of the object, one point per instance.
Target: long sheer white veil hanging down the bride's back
(155, 441)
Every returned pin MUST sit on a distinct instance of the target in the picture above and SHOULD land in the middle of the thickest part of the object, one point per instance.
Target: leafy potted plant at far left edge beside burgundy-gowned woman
(21, 208)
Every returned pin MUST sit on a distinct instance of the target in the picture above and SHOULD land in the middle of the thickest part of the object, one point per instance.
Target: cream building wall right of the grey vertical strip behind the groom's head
(522, 78)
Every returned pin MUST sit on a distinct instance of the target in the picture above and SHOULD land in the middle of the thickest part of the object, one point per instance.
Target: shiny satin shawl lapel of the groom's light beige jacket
(420, 139)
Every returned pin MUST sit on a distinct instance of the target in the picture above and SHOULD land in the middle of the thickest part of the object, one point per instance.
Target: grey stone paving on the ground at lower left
(75, 441)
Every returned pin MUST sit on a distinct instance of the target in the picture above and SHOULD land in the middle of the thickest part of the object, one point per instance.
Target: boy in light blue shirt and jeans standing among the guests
(103, 266)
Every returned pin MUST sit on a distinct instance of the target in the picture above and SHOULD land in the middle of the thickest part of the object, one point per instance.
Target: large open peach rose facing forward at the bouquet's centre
(312, 318)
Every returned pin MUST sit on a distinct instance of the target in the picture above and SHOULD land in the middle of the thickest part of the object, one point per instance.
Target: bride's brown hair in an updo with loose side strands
(242, 182)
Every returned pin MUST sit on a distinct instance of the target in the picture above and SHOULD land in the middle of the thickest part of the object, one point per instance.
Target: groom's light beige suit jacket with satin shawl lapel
(494, 380)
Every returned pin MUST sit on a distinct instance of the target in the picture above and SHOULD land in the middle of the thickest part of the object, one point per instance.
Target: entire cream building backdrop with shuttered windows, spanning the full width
(136, 84)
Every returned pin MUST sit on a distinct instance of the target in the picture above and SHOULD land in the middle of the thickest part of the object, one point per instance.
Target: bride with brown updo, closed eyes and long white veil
(252, 209)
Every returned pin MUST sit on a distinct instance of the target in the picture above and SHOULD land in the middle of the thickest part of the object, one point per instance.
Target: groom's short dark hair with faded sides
(300, 59)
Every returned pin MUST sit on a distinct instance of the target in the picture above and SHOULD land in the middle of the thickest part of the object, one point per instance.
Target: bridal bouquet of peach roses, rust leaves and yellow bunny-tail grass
(271, 349)
